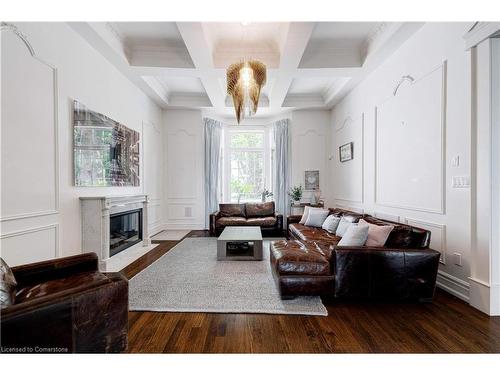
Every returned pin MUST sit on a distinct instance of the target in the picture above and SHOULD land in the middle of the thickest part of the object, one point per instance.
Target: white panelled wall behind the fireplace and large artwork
(41, 216)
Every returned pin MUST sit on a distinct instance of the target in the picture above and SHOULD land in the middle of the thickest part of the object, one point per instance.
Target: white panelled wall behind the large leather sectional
(405, 145)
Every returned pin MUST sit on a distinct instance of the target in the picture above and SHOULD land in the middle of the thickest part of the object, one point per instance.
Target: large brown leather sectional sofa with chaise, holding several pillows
(311, 263)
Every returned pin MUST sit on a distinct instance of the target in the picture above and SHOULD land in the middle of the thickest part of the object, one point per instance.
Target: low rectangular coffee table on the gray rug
(240, 243)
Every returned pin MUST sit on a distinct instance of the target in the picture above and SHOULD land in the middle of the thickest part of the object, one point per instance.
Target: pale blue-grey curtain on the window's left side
(213, 133)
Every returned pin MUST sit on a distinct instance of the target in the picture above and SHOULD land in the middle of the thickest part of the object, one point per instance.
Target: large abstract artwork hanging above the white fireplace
(106, 153)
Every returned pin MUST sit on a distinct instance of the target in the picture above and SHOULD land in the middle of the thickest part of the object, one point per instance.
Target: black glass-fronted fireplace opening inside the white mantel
(125, 230)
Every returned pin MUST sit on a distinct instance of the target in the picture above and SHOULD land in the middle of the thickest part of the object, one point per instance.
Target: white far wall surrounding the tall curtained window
(184, 158)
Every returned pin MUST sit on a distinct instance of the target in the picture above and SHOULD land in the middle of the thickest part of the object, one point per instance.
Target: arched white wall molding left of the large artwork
(8, 27)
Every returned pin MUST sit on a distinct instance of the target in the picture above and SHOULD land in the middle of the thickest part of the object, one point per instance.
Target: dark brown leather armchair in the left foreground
(66, 305)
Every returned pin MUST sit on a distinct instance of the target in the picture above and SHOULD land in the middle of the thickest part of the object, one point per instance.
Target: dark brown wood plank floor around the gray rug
(448, 325)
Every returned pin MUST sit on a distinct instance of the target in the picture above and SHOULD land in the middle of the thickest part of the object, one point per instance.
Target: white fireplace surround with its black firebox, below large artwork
(113, 225)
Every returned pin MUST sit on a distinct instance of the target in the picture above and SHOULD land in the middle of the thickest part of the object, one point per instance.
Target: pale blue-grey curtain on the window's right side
(281, 167)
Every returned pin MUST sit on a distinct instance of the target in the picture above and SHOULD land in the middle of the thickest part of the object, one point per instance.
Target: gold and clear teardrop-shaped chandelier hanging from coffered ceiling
(244, 82)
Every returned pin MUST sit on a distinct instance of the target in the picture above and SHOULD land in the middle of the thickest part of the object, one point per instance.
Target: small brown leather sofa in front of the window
(247, 214)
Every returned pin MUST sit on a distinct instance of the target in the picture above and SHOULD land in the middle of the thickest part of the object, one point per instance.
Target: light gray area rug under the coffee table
(190, 279)
